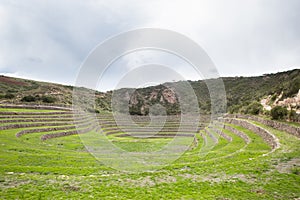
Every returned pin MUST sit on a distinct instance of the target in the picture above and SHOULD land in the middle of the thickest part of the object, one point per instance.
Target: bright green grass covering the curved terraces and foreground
(213, 168)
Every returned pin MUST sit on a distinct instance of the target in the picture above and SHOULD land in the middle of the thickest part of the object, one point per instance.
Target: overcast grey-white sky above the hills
(49, 40)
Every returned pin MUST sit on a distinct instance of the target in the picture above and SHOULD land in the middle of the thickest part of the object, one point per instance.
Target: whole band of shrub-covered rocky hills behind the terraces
(241, 92)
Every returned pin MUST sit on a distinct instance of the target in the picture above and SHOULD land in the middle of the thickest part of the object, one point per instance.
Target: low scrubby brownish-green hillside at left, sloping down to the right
(22, 91)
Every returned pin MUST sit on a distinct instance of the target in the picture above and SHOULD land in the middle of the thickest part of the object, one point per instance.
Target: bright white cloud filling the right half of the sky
(248, 37)
